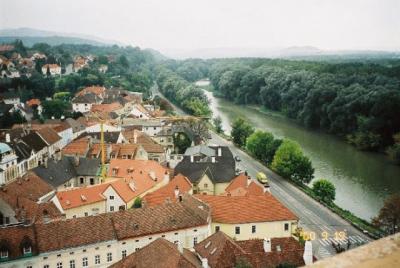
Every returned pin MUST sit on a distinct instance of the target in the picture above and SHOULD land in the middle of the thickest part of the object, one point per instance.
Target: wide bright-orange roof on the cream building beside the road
(247, 209)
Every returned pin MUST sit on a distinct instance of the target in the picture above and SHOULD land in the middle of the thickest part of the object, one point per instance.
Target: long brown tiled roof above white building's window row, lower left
(121, 225)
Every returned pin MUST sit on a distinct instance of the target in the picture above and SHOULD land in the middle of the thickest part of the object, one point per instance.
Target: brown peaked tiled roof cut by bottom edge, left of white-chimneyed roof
(159, 252)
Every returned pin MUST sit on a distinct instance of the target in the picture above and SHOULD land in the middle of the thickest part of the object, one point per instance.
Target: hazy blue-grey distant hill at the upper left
(31, 36)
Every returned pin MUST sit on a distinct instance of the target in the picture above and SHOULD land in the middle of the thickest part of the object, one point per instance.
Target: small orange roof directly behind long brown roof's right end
(179, 182)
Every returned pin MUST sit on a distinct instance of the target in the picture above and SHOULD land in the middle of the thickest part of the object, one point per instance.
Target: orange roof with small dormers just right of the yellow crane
(146, 175)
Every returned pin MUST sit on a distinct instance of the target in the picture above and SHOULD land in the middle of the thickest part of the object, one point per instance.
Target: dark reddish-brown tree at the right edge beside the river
(389, 216)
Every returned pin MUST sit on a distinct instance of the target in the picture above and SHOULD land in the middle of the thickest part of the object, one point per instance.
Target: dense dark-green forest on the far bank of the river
(359, 101)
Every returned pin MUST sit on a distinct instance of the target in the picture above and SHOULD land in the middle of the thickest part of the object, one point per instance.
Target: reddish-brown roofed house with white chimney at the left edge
(27, 199)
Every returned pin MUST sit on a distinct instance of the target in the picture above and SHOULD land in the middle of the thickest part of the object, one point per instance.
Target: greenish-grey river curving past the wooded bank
(362, 180)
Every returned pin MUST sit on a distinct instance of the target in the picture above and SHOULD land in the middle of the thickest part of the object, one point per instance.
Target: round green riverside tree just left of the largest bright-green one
(263, 146)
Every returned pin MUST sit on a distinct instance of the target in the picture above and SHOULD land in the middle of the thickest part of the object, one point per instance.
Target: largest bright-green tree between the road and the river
(290, 163)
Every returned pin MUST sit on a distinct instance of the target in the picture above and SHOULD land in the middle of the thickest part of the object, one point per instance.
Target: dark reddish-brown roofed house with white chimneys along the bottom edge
(222, 251)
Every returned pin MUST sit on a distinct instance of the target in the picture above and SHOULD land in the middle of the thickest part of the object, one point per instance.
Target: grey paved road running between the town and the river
(318, 222)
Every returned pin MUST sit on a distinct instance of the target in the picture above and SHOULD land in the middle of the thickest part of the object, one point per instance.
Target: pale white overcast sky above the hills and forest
(326, 24)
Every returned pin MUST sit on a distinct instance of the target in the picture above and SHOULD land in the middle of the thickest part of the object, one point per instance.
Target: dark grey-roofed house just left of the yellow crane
(68, 172)
